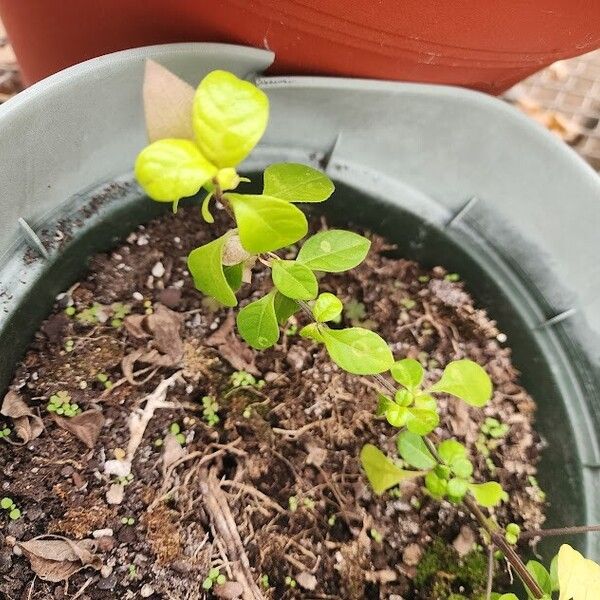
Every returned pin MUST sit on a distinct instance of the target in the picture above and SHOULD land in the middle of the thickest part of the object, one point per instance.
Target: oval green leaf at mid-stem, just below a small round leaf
(357, 350)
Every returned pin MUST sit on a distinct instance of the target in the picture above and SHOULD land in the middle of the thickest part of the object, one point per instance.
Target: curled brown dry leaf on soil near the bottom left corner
(56, 559)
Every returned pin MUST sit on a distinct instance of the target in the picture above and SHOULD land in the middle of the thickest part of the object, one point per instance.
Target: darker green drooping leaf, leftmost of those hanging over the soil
(205, 265)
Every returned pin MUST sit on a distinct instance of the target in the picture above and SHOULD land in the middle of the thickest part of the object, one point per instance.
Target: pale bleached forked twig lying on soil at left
(138, 421)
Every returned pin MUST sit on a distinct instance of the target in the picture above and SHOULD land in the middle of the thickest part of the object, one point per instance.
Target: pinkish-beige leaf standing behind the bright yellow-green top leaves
(168, 104)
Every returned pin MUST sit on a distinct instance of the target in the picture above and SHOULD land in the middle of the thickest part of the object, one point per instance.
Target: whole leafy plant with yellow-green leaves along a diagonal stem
(228, 118)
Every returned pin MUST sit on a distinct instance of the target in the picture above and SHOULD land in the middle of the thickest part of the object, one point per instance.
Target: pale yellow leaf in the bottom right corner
(578, 577)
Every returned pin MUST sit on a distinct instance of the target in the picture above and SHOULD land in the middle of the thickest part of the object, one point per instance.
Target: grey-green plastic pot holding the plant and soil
(451, 176)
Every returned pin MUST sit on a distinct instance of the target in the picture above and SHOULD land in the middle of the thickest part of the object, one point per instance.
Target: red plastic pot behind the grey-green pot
(485, 44)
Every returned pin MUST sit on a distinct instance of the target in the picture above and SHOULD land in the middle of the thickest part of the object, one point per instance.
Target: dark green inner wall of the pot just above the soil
(560, 474)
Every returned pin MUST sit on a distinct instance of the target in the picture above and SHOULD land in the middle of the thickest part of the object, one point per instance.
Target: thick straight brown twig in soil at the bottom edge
(218, 509)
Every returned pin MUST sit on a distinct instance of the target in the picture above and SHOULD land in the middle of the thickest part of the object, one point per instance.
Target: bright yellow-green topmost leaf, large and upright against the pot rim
(229, 117)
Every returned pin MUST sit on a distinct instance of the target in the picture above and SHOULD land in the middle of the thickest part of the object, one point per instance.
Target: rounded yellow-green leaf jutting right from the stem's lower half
(466, 380)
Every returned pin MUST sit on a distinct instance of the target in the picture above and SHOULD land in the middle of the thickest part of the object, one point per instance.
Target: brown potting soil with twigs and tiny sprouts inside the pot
(268, 466)
